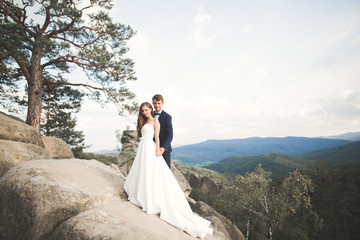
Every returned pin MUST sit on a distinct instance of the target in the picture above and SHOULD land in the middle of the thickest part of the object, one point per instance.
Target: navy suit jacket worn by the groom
(166, 131)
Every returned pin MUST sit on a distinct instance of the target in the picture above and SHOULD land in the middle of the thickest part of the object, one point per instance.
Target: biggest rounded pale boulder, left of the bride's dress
(36, 196)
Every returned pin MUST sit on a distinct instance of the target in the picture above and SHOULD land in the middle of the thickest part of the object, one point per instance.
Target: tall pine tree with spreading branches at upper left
(43, 41)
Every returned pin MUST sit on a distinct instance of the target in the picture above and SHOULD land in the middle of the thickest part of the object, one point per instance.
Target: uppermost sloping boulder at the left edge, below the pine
(15, 130)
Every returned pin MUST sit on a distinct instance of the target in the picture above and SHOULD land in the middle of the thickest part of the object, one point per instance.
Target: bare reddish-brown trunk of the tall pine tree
(35, 90)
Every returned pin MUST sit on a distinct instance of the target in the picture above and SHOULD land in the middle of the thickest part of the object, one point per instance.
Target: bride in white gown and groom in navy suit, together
(150, 183)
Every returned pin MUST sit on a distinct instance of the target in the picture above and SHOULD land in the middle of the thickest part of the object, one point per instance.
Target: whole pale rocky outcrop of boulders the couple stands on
(47, 194)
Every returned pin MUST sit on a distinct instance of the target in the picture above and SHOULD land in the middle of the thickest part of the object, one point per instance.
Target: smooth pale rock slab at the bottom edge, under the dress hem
(117, 221)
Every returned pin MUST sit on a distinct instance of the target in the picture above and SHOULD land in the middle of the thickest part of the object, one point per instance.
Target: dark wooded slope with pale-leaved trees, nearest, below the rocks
(321, 204)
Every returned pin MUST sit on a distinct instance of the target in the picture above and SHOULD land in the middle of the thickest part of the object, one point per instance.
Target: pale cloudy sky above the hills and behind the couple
(236, 69)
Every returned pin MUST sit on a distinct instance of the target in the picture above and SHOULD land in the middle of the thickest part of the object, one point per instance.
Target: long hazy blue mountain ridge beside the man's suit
(213, 151)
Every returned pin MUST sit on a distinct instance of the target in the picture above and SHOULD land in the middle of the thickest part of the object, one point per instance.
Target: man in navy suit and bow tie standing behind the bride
(166, 132)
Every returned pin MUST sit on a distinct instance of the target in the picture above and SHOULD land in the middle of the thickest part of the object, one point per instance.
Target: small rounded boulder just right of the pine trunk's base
(57, 148)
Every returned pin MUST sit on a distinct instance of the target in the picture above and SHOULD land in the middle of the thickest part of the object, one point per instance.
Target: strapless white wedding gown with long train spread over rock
(151, 185)
